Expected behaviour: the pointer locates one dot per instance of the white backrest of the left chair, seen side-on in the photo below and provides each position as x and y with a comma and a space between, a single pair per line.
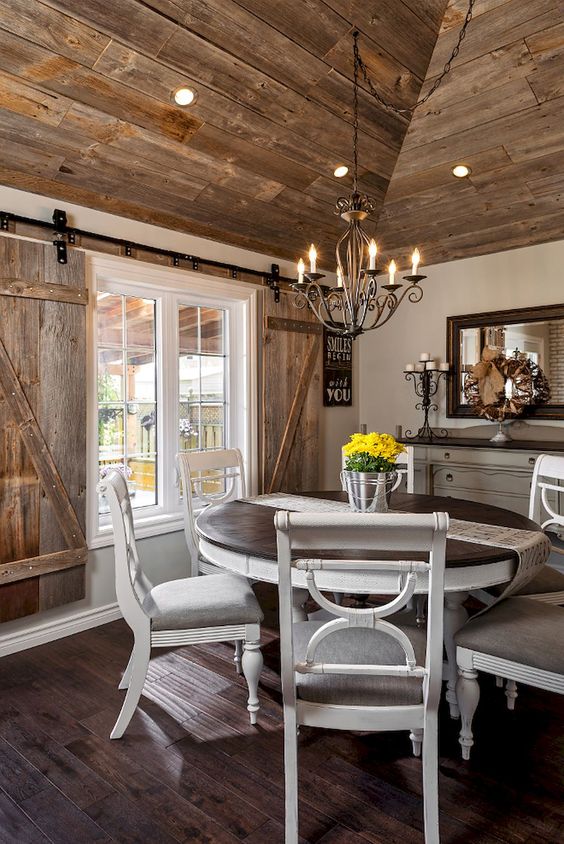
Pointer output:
132, 584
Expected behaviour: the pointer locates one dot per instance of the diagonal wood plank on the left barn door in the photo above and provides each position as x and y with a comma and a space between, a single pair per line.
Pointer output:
43, 462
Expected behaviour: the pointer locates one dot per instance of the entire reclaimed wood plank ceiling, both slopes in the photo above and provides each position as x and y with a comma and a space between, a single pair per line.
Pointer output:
86, 116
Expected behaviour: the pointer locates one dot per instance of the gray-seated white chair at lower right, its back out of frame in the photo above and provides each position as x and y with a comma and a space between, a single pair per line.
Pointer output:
520, 639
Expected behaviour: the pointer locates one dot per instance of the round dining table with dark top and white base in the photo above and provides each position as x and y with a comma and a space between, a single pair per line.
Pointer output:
240, 536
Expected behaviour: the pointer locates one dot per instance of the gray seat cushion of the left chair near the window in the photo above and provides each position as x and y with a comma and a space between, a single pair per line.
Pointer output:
212, 601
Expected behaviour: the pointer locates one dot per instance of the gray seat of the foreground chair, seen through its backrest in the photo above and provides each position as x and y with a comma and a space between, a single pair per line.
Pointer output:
364, 647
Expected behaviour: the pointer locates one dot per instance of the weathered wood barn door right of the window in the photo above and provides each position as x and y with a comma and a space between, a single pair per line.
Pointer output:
291, 396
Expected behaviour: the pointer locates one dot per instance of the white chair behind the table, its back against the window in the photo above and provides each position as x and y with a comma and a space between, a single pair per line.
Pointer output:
207, 468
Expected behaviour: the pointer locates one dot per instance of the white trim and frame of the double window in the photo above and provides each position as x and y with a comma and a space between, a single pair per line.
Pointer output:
186, 287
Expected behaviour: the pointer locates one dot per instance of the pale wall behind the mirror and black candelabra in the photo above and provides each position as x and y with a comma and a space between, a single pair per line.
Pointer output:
518, 278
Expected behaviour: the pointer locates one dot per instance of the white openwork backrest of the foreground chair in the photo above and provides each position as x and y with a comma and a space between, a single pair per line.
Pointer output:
317, 532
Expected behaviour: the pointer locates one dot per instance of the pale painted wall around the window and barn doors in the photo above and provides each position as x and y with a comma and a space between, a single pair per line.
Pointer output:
165, 556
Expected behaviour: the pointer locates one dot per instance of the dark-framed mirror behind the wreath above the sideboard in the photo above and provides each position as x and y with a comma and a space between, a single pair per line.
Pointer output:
538, 332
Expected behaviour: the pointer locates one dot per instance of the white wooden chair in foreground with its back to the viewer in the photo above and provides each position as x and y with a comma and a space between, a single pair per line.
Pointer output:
358, 671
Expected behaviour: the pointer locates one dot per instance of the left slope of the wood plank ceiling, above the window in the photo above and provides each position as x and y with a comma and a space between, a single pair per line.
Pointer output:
87, 117
